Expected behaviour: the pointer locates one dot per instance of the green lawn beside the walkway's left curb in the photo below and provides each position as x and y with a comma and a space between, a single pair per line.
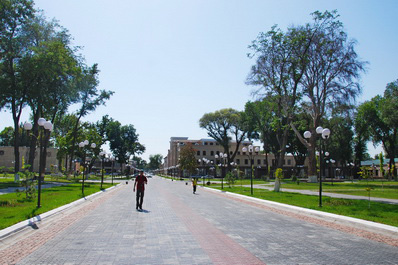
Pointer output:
14, 208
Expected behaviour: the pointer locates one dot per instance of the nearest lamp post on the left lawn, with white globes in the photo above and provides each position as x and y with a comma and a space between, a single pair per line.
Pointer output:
47, 127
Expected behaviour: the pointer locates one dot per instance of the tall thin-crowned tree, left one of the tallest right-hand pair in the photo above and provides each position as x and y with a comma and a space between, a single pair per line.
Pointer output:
280, 64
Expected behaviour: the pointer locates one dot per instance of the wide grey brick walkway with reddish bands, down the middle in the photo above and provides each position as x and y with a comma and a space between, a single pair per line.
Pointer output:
178, 227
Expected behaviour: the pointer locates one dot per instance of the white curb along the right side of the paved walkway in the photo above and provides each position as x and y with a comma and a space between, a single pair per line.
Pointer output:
341, 219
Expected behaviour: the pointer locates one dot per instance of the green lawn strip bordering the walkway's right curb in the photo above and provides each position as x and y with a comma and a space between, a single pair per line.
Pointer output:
378, 212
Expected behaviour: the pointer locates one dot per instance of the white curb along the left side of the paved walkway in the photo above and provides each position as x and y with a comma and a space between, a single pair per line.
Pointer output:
32, 221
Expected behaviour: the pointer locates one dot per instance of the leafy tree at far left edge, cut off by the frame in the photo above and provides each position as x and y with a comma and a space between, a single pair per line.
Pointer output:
13, 47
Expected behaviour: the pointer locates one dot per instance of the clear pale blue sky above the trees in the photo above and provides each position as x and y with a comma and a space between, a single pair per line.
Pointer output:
171, 61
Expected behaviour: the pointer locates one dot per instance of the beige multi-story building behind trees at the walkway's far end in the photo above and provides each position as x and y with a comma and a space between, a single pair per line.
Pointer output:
207, 149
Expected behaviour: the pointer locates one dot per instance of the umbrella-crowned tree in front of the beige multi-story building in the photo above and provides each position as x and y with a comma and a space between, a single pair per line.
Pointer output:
224, 125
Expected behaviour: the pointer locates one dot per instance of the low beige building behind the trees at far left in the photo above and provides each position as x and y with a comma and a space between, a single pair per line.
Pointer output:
7, 158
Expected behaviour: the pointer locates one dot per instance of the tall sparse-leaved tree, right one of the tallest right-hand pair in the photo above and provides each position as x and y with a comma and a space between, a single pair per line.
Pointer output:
331, 73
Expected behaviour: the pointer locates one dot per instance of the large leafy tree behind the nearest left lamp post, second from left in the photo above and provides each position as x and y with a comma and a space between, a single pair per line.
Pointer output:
50, 69
